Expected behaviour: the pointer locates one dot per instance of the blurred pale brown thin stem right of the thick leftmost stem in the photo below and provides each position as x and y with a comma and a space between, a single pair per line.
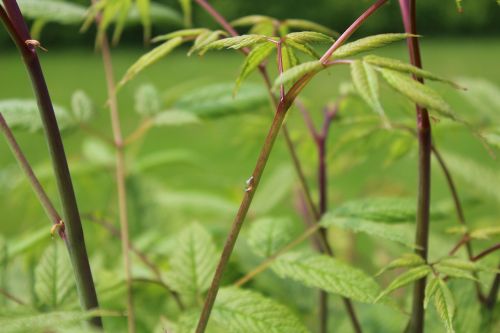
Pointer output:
120, 179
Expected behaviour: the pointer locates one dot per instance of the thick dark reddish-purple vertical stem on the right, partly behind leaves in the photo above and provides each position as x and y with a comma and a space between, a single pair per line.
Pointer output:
416, 324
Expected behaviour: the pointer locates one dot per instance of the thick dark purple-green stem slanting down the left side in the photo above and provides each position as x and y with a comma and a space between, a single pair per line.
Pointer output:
75, 239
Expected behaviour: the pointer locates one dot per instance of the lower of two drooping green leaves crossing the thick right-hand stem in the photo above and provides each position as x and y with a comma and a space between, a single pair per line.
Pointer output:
417, 92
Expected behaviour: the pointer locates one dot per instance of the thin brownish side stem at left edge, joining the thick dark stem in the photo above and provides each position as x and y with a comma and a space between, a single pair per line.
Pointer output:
33, 180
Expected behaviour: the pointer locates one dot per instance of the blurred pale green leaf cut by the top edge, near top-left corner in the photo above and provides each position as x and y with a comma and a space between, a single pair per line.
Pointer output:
62, 12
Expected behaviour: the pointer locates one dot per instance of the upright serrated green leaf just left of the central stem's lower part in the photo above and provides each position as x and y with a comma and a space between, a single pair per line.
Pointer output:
193, 262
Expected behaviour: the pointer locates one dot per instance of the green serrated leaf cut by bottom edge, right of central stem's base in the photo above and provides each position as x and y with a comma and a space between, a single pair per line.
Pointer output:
239, 310
